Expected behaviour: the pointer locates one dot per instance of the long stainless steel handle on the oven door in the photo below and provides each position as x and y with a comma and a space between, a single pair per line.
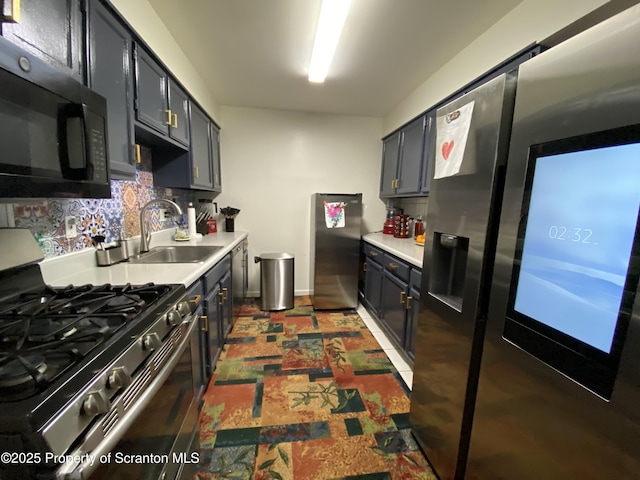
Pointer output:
71, 470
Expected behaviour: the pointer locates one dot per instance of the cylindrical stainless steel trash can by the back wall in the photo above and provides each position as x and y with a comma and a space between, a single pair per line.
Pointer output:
276, 280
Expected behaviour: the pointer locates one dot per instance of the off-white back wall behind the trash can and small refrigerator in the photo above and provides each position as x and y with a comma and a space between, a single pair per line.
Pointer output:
274, 160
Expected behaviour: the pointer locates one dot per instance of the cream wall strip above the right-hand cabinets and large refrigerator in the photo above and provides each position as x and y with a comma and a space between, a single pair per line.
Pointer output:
531, 21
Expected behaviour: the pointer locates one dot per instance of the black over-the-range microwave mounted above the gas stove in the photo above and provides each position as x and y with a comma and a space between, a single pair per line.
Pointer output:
53, 131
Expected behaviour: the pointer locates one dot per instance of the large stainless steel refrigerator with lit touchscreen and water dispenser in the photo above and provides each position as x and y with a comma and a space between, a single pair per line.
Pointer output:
526, 362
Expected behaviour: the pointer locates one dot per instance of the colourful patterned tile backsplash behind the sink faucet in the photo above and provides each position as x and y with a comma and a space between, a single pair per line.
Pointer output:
110, 217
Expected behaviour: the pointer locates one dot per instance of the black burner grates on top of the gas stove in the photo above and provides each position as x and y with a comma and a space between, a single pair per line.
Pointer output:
44, 334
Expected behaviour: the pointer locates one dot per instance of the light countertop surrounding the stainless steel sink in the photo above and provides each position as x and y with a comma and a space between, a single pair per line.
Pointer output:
81, 268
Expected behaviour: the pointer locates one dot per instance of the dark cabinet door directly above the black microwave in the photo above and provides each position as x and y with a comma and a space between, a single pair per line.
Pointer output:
52, 31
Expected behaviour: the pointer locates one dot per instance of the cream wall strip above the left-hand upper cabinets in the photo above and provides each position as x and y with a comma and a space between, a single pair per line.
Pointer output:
148, 26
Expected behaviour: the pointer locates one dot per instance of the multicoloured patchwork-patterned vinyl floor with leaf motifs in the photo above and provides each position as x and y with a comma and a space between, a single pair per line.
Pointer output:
300, 394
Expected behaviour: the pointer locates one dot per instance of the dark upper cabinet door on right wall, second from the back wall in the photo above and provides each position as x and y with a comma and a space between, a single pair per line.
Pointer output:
410, 163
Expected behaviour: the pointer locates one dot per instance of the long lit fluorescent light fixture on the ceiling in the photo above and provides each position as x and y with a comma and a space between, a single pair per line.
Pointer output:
333, 13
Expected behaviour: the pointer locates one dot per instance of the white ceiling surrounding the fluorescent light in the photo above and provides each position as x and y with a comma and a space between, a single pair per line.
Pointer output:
255, 53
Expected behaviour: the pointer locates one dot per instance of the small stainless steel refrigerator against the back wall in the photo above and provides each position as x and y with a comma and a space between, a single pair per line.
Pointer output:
335, 250
